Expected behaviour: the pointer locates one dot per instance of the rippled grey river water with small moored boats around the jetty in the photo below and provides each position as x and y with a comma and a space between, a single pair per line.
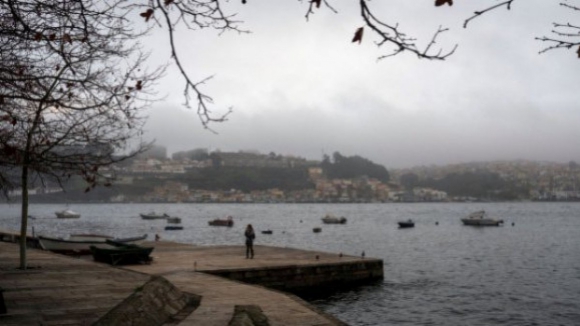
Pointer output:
438, 273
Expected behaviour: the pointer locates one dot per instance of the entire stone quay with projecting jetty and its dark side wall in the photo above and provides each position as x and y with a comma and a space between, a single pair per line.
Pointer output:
183, 285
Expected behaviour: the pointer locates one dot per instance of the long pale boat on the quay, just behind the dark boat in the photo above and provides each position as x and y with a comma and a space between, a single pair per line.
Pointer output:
80, 243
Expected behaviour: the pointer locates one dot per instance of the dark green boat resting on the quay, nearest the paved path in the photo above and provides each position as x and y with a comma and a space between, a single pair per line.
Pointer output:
119, 253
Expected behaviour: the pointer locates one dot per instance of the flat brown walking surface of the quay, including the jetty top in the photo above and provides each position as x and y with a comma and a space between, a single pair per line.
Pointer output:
69, 291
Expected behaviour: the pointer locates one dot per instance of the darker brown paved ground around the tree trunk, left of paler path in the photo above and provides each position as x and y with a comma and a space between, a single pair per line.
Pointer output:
60, 290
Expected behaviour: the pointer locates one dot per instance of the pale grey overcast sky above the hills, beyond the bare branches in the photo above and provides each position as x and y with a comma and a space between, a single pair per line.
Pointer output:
302, 88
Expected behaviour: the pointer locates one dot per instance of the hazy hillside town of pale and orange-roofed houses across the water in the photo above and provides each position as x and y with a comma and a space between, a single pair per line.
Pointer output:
166, 177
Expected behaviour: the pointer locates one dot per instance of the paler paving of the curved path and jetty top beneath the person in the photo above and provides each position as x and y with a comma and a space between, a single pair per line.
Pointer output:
177, 262
